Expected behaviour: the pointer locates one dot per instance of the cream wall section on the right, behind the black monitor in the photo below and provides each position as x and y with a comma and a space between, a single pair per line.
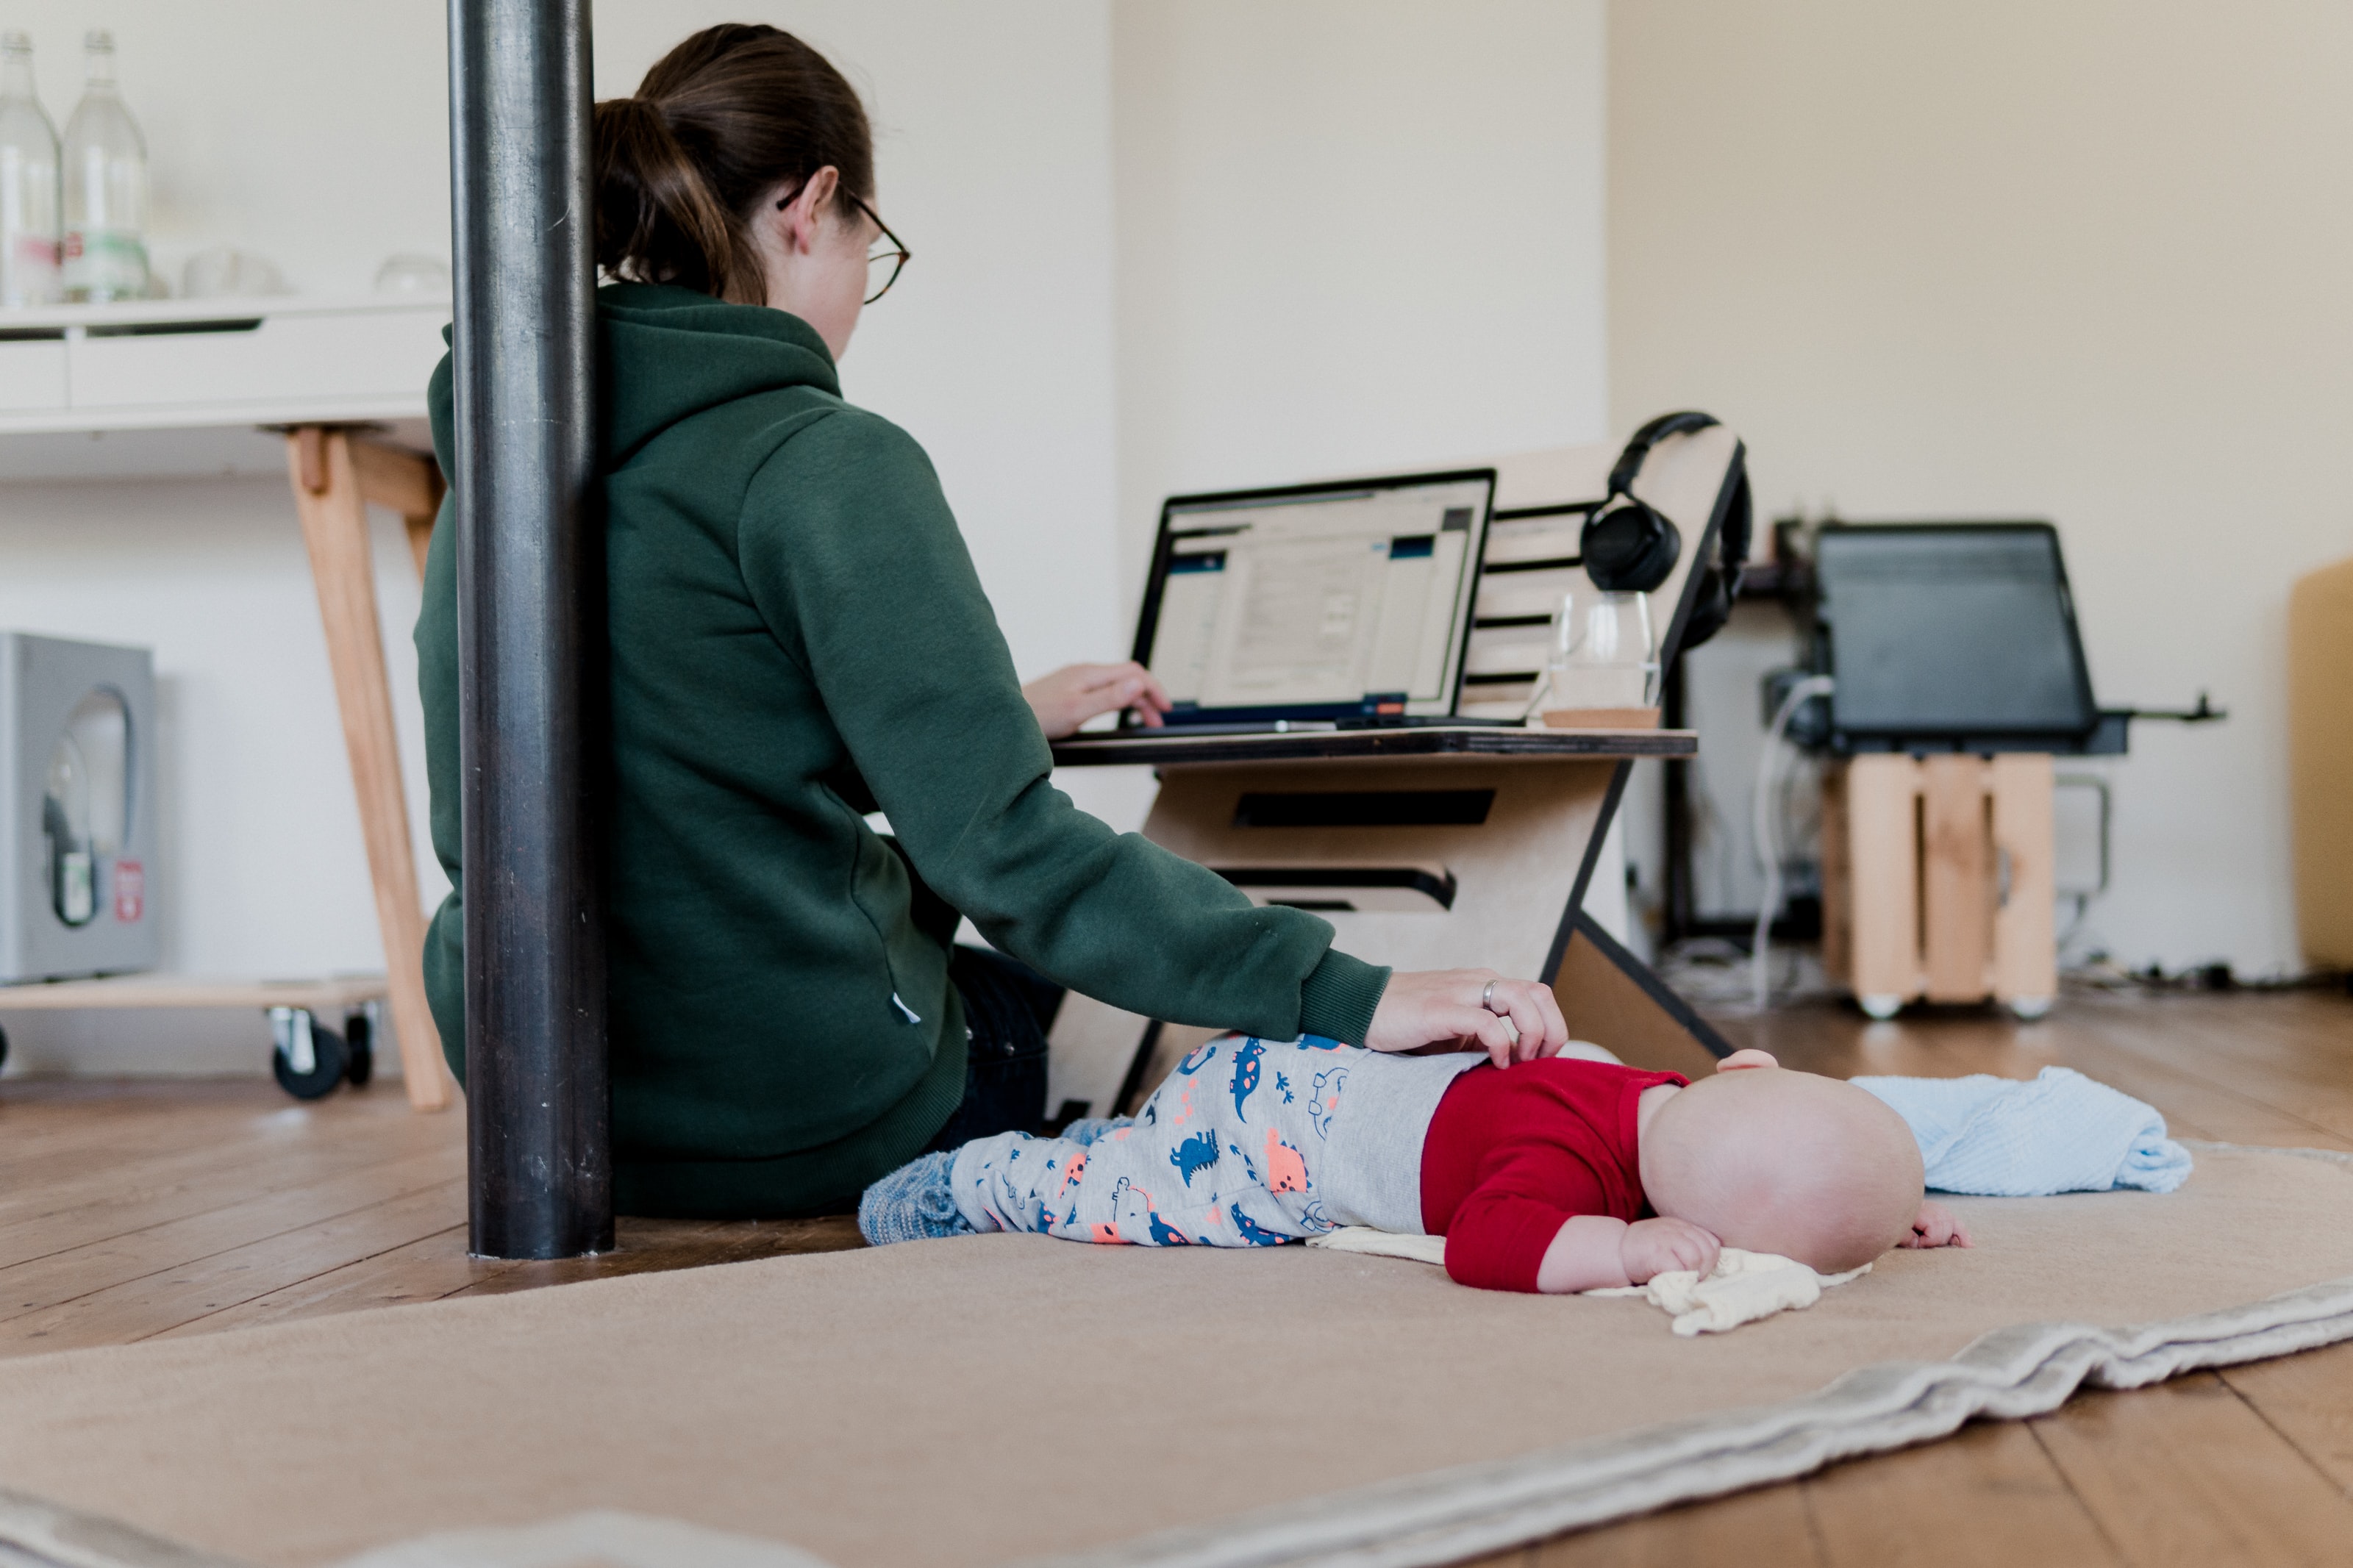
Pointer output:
2077, 262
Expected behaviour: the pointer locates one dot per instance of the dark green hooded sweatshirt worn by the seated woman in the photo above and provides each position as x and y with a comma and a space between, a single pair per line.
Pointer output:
799, 638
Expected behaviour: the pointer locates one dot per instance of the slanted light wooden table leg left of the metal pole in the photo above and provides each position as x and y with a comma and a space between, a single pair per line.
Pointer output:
335, 528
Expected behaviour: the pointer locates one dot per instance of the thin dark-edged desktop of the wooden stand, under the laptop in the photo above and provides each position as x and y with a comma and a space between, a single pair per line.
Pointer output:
1161, 749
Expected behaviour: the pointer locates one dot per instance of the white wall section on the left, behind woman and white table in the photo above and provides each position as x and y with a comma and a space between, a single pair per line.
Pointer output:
316, 135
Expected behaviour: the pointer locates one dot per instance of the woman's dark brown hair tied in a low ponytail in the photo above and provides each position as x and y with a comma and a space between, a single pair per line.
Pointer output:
714, 128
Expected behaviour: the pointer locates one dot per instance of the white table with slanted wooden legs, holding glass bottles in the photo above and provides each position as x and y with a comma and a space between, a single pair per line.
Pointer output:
338, 391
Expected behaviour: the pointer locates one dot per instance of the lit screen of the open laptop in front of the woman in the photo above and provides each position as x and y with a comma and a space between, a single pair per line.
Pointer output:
1317, 603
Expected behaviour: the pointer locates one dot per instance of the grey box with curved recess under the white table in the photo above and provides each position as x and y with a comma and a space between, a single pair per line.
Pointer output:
79, 810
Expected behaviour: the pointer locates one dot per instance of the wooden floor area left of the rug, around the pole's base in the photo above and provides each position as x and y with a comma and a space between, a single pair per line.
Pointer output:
152, 1209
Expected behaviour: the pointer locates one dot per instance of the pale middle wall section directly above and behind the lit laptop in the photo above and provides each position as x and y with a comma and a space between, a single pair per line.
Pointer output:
1352, 234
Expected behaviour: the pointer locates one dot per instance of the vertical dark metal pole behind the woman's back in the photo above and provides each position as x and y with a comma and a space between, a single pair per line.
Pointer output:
528, 622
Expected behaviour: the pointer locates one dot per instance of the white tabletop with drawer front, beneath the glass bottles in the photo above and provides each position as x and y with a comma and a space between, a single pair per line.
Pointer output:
182, 387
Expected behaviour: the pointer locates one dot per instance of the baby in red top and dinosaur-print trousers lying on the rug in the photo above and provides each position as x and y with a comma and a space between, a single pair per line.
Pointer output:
1542, 1177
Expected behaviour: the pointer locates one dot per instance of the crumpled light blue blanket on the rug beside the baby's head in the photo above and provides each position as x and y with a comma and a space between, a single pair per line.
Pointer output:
2058, 1134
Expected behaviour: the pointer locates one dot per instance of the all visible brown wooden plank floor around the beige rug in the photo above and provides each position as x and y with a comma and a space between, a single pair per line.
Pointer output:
159, 1209
